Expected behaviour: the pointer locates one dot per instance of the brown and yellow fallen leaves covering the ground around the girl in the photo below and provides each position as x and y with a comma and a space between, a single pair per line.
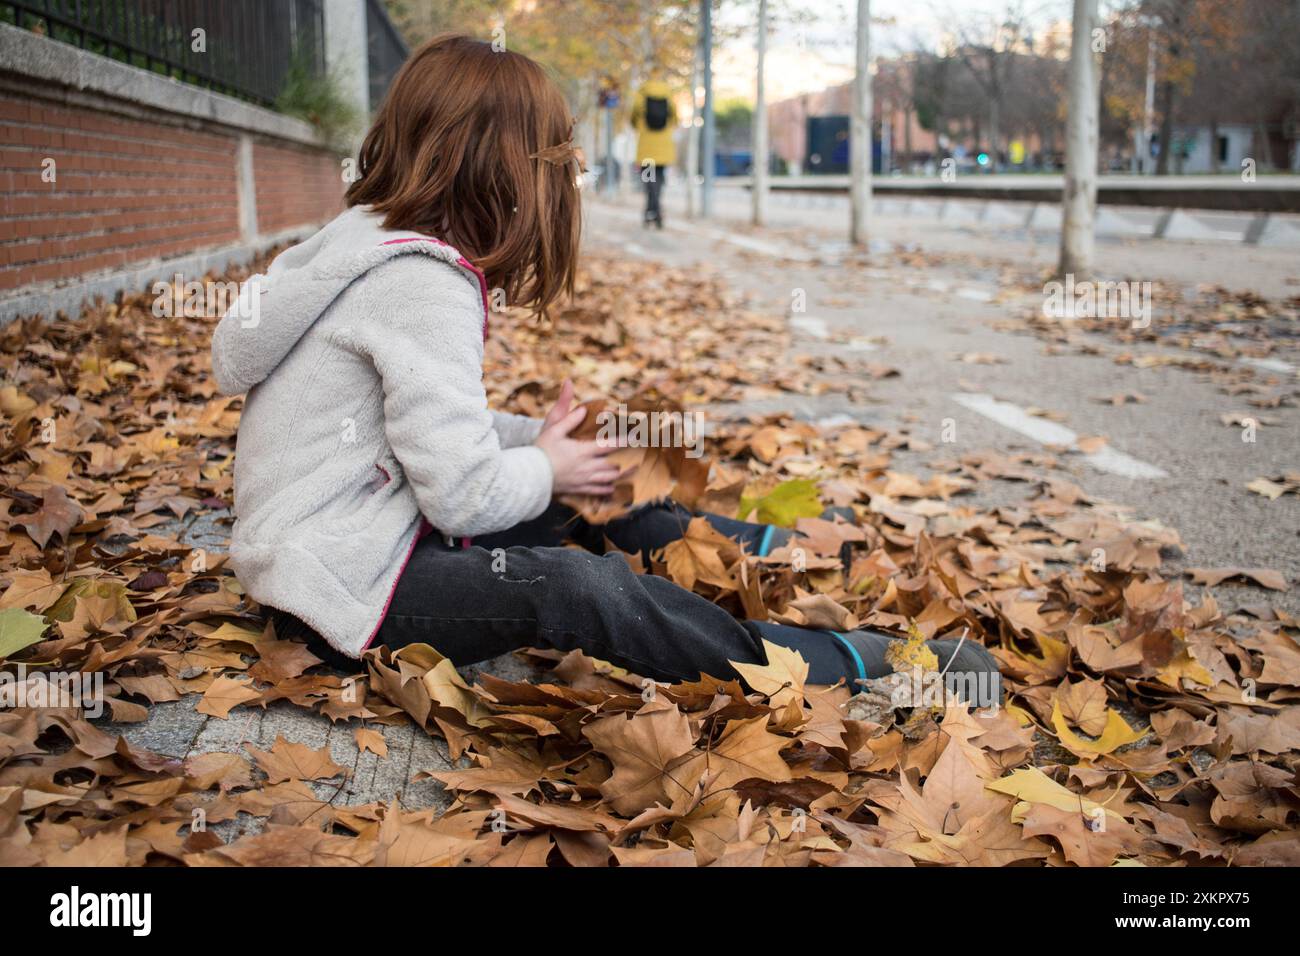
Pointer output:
1136, 729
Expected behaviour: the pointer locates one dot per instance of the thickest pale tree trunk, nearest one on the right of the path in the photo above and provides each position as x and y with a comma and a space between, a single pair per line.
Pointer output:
1082, 133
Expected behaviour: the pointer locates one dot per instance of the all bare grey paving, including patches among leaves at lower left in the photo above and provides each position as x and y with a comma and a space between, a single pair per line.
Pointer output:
941, 322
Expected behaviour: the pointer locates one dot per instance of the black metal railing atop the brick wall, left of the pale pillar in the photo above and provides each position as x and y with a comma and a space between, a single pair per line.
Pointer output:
245, 47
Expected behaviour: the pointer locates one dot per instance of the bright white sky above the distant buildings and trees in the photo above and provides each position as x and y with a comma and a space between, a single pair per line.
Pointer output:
820, 53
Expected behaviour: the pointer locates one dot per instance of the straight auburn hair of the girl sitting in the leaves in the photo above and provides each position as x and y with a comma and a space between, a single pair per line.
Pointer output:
454, 154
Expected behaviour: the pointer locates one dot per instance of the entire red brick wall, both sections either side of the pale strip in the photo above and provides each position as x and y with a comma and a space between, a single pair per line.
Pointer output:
135, 191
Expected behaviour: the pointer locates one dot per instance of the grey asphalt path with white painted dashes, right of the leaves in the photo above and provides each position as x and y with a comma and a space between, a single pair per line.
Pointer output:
942, 315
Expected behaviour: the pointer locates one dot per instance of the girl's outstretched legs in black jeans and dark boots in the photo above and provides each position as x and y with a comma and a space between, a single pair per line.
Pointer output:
519, 589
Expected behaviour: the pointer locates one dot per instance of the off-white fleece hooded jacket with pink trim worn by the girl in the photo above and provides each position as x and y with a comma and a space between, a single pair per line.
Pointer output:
366, 417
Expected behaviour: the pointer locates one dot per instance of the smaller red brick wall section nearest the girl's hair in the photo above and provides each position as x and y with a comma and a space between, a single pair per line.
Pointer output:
296, 187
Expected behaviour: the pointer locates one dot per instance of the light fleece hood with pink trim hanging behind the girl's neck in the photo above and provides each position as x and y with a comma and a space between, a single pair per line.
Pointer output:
275, 312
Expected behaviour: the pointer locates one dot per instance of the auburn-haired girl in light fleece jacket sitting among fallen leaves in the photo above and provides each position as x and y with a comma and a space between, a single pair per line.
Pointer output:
374, 483
